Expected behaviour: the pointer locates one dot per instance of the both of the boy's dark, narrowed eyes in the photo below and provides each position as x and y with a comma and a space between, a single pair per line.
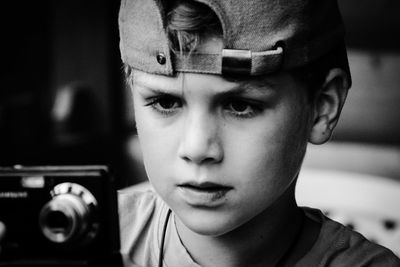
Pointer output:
255, 107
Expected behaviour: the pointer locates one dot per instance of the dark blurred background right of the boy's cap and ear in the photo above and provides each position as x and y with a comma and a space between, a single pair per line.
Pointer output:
371, 114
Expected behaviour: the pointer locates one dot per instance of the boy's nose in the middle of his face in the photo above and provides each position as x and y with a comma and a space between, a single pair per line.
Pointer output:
200, 142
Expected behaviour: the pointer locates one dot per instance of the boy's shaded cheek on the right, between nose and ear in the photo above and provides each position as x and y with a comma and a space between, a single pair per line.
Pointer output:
273, 152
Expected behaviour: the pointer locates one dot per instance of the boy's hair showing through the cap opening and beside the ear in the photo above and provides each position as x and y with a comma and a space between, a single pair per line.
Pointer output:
190, 22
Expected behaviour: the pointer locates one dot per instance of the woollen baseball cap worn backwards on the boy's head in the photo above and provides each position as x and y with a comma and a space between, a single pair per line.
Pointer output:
259, 37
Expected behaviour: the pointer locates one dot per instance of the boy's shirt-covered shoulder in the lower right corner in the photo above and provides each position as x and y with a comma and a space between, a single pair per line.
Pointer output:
338, 245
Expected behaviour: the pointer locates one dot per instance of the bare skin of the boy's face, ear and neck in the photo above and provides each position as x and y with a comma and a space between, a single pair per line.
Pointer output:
246, 138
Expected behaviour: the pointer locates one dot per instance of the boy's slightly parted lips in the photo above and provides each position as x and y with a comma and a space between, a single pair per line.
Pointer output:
205, 194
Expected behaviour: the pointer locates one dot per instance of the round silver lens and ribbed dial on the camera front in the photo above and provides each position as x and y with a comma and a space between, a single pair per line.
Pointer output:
69, 215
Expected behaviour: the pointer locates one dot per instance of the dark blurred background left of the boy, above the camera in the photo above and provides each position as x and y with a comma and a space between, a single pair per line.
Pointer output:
45, 46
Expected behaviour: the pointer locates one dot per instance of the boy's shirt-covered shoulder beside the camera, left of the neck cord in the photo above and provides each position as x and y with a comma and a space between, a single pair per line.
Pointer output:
140, 212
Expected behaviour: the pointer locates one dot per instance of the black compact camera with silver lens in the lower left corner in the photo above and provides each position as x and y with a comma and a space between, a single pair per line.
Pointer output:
58, 216
